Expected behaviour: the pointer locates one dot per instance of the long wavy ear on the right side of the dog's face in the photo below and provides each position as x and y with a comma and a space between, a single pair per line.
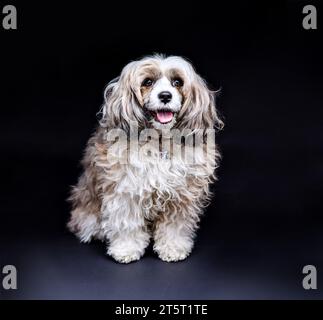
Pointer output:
199, 109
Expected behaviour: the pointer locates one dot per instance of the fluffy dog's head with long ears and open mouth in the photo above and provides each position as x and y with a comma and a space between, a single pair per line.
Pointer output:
159, 92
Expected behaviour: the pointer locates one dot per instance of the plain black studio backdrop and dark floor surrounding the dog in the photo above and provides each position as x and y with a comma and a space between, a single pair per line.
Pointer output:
265, 222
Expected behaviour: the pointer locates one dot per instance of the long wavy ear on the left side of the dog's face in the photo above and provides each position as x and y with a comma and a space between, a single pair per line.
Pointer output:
121, 106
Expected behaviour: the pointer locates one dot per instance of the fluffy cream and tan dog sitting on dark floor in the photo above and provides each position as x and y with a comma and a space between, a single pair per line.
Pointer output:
157, 195
